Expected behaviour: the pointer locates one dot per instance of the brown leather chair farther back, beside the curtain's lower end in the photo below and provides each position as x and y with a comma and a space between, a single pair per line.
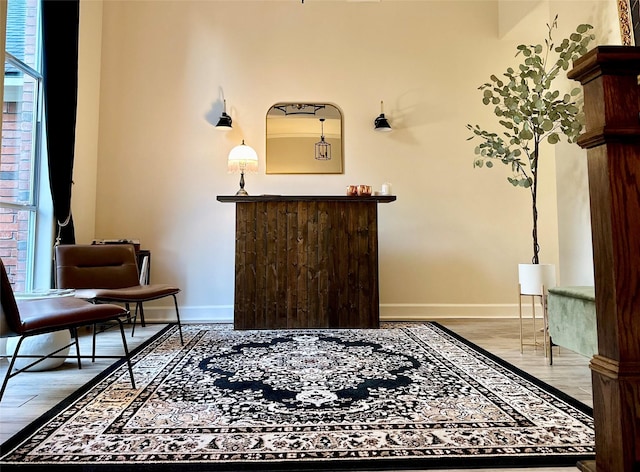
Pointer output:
108, 273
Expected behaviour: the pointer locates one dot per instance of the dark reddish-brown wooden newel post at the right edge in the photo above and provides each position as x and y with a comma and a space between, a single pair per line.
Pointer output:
609, 75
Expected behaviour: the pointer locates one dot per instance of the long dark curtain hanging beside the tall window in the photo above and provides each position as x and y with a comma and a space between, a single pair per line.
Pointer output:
60, 35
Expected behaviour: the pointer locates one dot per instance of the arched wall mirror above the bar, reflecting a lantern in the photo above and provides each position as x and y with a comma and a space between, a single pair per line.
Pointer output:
304, 138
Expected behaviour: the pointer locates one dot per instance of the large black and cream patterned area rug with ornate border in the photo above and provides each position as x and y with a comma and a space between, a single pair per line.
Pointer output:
405, 396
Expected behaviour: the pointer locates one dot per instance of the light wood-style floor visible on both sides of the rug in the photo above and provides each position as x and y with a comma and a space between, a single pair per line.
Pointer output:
31, 394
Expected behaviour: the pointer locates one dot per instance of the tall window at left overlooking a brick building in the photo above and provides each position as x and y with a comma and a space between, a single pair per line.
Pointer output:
22, 206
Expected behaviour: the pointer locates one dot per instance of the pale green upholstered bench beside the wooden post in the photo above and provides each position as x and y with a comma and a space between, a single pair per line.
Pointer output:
571, 315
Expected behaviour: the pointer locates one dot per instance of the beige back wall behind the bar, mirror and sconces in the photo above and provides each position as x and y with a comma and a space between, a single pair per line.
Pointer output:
451, 242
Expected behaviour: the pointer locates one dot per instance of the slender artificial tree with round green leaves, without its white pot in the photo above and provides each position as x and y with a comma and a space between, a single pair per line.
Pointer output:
531, 109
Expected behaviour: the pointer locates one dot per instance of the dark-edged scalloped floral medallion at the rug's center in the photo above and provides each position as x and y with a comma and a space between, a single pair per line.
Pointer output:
311, 371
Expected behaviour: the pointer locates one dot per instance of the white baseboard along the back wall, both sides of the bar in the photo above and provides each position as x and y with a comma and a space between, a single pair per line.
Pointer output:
388, 312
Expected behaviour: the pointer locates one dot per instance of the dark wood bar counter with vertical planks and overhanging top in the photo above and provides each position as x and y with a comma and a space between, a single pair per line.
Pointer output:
306, 261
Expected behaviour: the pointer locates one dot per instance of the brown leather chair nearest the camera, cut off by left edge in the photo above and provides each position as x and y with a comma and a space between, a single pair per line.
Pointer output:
47, 315
